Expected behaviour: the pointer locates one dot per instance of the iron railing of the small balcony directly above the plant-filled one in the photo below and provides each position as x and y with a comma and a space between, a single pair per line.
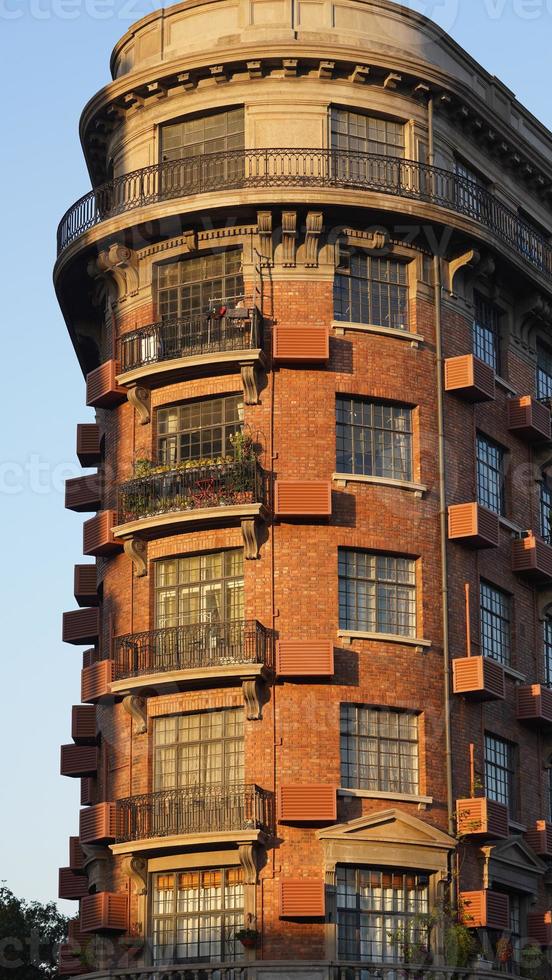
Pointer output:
238, 329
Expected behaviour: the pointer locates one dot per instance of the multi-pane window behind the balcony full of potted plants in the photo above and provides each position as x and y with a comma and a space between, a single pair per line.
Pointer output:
198, 430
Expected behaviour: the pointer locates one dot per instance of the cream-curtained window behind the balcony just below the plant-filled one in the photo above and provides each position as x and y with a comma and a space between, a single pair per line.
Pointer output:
205, 588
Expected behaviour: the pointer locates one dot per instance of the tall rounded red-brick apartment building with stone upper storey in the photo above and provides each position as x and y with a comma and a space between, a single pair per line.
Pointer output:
311, 292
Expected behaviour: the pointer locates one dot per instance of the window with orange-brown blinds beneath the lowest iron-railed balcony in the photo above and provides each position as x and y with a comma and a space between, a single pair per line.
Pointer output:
196, 914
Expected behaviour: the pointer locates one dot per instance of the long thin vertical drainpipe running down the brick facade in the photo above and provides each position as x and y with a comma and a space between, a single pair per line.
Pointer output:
443, 537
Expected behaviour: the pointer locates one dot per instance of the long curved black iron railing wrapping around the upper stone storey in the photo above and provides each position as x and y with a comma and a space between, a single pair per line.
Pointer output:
306, 168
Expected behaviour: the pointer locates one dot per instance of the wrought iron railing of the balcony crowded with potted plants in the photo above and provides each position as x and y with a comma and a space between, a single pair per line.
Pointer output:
193, 488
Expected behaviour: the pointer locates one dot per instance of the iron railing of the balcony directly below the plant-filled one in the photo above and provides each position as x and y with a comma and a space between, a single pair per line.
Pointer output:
188, 647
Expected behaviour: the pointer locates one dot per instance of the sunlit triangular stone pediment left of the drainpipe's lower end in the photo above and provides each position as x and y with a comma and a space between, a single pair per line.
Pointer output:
389, 826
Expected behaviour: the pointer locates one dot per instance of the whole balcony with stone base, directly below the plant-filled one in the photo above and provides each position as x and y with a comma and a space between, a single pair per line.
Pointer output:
206, 652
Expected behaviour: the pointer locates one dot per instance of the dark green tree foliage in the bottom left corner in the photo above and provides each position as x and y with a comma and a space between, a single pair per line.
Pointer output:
29, 937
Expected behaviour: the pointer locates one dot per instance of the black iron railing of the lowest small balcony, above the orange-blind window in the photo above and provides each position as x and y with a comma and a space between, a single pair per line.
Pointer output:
206, 809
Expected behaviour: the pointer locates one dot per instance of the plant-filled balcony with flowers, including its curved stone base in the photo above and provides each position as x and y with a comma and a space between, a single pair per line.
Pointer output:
166, 500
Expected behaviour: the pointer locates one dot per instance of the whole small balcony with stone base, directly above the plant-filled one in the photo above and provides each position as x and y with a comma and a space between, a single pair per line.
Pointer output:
225, 336
